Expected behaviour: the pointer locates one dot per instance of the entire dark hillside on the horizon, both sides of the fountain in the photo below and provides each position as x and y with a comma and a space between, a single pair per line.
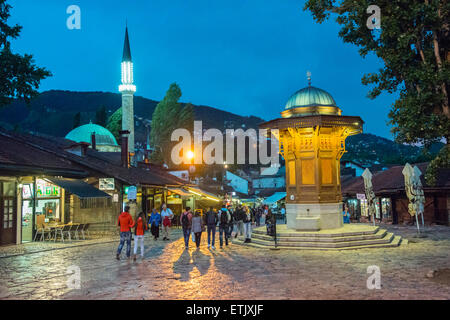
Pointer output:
52, 112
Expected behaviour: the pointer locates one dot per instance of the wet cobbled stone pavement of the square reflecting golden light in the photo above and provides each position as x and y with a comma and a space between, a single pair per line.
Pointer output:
237, 272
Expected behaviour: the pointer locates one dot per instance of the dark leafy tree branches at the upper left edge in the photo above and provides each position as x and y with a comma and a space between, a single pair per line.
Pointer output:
19, 76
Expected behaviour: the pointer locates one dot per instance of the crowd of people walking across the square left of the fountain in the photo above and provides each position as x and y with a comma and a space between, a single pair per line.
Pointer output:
227, 221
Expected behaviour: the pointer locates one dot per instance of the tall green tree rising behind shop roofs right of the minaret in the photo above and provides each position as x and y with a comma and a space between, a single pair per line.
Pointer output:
169, 115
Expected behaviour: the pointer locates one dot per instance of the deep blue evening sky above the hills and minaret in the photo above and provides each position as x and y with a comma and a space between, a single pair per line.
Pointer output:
244, 56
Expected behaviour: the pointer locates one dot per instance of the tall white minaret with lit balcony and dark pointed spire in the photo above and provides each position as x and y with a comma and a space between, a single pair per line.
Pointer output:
127, 88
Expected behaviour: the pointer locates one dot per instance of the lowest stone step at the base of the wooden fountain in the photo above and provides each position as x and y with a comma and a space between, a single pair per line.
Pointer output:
392, 241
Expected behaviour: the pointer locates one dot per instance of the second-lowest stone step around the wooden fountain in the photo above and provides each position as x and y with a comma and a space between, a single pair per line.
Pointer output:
353, 237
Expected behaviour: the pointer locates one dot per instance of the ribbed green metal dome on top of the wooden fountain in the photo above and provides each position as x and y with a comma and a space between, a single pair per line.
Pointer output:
310, 97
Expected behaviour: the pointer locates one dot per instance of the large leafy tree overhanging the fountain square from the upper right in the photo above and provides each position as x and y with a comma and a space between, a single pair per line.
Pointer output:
413, 43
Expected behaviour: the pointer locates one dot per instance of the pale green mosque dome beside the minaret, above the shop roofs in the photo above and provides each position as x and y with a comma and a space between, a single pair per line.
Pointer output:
83, 134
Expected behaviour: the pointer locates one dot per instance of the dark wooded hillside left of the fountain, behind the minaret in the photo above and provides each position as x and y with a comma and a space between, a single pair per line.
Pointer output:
52, 112
